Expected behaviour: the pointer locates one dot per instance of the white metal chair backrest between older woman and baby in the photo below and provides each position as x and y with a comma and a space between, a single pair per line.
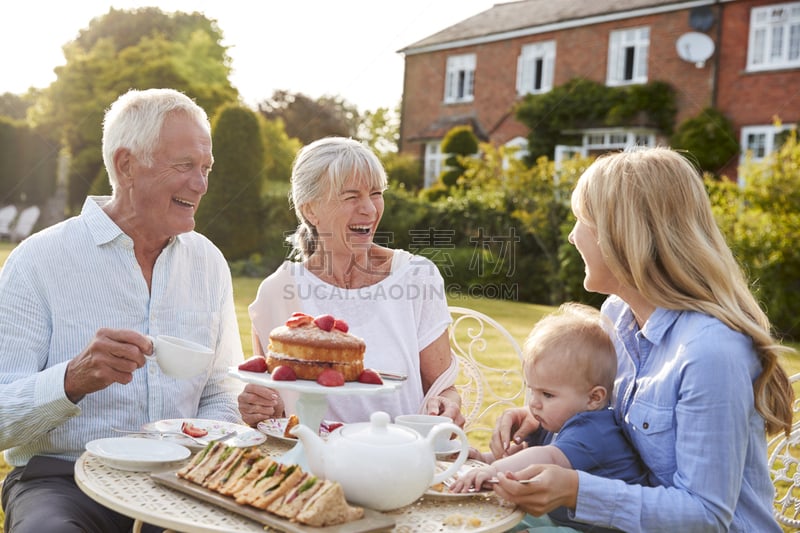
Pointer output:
490, 377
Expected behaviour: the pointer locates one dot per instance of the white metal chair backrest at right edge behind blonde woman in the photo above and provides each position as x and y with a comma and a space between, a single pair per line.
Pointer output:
784, 465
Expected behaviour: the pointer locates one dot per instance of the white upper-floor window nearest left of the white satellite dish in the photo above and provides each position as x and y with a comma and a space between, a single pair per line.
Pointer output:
627, 56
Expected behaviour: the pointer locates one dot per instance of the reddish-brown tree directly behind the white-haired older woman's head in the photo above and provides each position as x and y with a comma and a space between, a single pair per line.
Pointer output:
307, 119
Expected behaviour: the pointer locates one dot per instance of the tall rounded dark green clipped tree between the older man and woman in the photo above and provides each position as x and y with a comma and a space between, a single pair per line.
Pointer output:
230, 213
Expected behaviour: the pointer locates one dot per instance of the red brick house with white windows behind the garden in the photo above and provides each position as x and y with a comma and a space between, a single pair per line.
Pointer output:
741, 57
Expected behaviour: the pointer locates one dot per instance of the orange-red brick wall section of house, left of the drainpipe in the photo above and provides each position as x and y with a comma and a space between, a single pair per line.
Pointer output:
580, 52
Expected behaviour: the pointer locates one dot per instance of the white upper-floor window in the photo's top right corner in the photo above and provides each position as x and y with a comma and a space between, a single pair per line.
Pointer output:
774, 41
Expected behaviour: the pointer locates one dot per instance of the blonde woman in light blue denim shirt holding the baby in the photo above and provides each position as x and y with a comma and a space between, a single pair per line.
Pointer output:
698, 386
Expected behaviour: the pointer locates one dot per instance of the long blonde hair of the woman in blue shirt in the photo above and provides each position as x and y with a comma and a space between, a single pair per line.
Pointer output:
657, 234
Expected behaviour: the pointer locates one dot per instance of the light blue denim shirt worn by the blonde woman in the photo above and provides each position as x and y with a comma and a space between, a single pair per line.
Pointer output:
685, 396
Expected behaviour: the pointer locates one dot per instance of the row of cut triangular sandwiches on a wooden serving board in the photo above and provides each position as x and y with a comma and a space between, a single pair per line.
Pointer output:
251, 483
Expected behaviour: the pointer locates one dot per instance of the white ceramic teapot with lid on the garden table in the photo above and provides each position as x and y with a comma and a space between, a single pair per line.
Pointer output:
379, 465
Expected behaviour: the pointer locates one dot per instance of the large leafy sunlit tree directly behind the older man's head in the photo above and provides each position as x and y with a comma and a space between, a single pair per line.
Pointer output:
121, 50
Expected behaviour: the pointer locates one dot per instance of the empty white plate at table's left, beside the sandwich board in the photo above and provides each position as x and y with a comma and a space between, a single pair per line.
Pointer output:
138, 455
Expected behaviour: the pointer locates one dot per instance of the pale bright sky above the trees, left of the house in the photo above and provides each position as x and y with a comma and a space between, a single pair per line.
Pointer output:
345, 48
